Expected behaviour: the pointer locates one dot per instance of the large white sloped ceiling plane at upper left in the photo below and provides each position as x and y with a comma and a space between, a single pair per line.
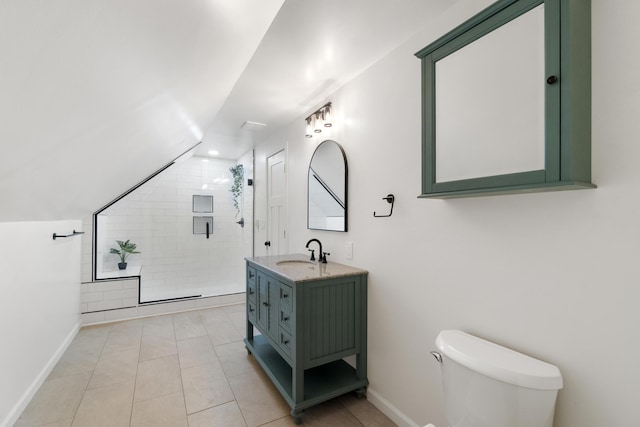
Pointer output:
96, 95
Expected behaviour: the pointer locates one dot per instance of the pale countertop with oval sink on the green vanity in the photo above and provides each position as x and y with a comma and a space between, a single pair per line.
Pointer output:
300, 269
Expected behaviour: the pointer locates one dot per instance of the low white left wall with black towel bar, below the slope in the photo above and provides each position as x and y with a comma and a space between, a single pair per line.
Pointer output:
39, 308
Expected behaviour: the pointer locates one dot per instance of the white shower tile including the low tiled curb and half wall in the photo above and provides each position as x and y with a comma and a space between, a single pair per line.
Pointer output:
158, 218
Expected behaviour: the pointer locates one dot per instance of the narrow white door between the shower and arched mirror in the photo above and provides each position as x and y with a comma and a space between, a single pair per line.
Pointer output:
277, 239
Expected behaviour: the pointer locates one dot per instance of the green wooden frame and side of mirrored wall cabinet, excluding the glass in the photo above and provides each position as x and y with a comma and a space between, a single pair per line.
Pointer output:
567, 100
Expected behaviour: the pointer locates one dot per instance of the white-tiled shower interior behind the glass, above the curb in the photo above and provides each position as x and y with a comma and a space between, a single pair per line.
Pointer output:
176, 258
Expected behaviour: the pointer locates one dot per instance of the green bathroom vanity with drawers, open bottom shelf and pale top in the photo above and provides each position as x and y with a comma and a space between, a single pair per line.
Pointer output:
309, 317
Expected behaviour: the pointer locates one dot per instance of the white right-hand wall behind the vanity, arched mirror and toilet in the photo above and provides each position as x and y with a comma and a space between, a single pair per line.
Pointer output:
554, 275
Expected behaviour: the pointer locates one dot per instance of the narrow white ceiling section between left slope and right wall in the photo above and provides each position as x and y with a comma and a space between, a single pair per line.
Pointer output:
312, 49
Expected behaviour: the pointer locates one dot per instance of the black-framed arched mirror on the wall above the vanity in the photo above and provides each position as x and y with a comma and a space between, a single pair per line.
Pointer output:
327, 188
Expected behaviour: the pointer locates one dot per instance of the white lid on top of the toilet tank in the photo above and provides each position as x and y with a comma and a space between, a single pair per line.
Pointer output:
498, 362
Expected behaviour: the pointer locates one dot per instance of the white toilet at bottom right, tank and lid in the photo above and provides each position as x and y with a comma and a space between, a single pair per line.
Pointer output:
487, 385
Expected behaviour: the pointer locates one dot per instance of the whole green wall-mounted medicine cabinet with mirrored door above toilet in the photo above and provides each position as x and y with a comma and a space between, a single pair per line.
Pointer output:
507, 101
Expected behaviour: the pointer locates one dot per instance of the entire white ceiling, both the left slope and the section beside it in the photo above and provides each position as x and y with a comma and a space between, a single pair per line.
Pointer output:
97, 95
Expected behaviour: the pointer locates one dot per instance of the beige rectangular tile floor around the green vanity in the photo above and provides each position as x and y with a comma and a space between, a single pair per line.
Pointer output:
187, 369
